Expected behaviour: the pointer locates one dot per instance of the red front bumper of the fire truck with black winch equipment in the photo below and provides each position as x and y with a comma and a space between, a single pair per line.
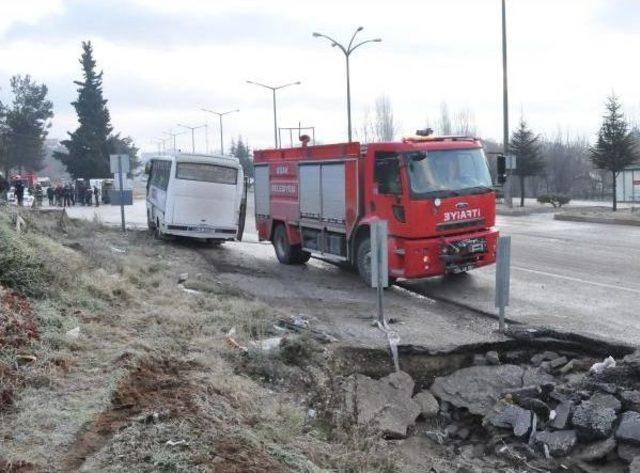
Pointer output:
412, 259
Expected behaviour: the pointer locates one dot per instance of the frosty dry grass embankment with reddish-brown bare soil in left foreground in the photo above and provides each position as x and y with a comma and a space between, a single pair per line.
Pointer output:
145, 339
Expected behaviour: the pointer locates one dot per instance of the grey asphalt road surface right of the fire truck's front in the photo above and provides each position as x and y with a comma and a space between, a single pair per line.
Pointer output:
580, 277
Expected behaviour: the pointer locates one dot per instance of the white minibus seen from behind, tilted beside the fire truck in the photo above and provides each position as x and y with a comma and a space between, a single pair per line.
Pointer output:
196, 195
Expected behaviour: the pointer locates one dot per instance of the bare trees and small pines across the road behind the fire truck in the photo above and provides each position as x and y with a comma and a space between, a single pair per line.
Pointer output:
561, 164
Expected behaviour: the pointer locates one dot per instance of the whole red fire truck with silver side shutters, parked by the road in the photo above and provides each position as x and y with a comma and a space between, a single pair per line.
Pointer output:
434, 192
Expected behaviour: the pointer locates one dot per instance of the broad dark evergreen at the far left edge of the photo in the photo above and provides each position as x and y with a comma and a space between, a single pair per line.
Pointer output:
26, 124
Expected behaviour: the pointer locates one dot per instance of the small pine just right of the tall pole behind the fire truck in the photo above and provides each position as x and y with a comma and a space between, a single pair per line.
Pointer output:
525, 147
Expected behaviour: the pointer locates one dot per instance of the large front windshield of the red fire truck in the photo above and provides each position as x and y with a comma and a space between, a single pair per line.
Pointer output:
448, 173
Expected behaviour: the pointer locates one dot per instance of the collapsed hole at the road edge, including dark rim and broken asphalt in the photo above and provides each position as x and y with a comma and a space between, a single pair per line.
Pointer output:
543, 401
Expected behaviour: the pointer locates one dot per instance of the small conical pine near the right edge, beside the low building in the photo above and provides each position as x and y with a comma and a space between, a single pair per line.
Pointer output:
616, 147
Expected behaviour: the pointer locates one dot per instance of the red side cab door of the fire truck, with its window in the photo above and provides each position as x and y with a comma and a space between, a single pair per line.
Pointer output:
387, 186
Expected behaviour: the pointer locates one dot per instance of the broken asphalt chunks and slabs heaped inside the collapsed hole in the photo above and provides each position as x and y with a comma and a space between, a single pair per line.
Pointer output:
545, 411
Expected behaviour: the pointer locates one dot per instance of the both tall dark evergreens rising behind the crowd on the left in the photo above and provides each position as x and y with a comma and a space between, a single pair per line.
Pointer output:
24, 125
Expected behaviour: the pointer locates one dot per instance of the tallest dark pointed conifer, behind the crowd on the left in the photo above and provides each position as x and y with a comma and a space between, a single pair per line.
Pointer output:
88, 146
